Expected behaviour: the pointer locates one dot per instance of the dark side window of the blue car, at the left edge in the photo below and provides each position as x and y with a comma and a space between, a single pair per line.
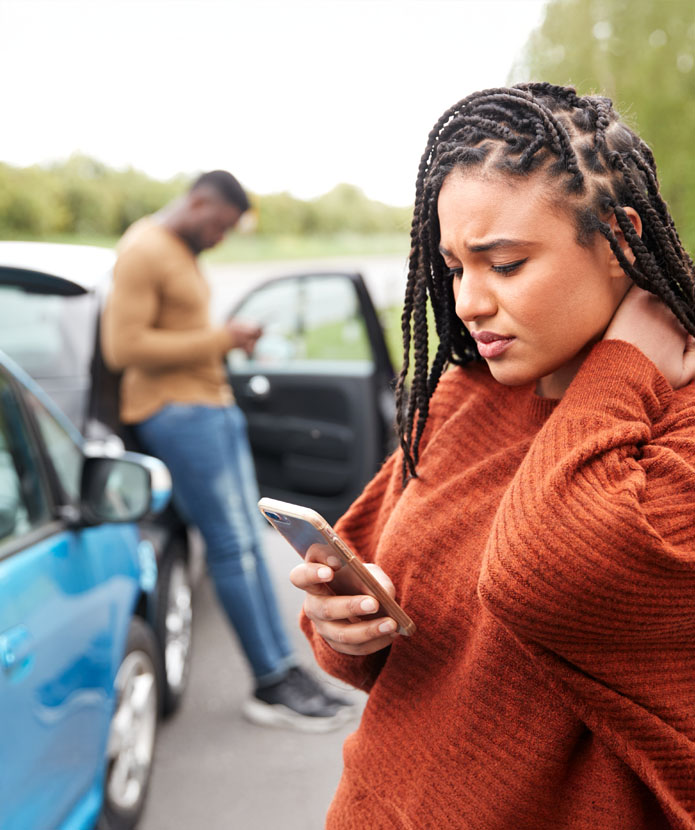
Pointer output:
22, 499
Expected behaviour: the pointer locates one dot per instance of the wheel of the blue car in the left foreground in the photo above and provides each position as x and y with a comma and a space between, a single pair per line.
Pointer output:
131, 743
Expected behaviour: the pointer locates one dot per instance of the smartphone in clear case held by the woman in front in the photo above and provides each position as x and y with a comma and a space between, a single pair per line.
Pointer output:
315, 540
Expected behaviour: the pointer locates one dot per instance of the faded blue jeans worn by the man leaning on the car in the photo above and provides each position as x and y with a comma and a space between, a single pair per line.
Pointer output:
207, 452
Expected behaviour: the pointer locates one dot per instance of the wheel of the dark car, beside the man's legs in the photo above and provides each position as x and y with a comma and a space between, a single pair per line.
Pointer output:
174, 626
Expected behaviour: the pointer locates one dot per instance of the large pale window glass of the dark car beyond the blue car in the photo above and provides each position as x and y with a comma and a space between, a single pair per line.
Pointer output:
48, 335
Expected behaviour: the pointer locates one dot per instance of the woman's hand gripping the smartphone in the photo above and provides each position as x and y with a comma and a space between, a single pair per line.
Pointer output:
337, 618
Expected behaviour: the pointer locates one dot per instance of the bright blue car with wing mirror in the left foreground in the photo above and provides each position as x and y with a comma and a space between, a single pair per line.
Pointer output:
79, 672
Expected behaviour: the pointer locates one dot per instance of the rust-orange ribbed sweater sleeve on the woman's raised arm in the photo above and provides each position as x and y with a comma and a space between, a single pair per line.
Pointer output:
591, 564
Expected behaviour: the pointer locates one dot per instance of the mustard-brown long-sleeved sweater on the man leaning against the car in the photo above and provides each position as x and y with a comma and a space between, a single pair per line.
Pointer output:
156, 326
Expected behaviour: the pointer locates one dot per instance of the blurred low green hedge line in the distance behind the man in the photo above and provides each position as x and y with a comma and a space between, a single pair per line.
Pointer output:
83, 197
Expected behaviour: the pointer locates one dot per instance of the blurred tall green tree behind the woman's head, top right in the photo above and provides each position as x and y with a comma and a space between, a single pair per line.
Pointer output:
641, 54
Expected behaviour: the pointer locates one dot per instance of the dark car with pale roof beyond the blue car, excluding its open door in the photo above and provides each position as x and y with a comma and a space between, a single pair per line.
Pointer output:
50, 301
